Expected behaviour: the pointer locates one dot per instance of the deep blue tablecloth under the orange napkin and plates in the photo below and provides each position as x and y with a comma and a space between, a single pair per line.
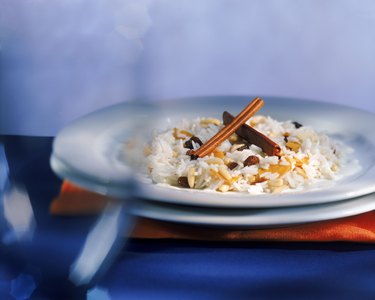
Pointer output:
167, 269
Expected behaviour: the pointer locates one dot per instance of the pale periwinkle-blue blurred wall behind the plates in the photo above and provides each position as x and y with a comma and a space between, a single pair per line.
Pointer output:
62, 59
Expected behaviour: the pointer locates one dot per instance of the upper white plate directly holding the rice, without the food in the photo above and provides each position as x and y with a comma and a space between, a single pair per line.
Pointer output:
88, 151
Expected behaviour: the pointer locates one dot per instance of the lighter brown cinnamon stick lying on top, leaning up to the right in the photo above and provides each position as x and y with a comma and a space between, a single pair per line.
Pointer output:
228, 130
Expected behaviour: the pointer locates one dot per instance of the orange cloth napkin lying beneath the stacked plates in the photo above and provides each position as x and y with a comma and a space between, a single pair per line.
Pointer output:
74, 200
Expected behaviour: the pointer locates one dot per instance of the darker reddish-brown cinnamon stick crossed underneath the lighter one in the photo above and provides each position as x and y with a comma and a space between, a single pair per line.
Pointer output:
253, 136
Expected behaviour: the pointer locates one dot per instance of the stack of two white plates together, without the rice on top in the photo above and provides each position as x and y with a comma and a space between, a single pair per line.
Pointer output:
90, 153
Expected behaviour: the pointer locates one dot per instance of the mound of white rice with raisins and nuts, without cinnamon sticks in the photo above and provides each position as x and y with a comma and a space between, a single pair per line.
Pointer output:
307, 157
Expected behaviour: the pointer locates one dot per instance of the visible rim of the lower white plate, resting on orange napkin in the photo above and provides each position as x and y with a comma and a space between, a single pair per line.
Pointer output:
258, 218
